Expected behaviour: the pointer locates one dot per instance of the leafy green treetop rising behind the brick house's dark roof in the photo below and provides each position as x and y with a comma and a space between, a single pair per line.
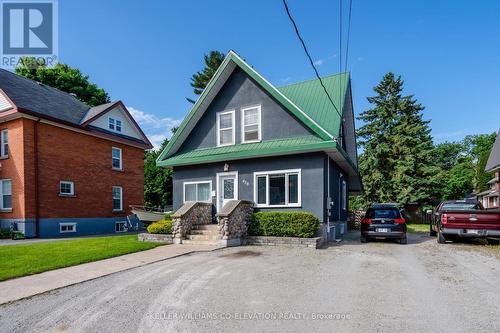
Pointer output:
65, 78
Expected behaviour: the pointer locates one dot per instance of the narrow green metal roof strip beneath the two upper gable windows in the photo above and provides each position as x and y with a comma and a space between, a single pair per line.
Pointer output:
246, 150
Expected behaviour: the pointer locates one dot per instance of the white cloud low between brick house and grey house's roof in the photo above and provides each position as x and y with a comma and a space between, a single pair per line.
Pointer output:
156, 128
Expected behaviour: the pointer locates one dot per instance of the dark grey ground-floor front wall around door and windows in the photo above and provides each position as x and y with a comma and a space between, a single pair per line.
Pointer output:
312, 172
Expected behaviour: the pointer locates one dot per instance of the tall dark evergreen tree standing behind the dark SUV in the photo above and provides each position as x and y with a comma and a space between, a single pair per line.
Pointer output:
396, 164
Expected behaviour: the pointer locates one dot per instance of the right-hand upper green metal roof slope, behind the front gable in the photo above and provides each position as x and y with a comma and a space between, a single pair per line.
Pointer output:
310, 97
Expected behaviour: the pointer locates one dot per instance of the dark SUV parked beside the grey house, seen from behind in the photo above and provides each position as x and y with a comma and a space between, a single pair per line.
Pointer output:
383, 221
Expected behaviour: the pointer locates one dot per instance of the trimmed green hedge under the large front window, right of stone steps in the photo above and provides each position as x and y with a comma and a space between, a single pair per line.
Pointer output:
284, 224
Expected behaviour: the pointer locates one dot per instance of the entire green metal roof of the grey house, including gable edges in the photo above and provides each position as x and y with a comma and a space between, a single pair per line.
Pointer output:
306, 100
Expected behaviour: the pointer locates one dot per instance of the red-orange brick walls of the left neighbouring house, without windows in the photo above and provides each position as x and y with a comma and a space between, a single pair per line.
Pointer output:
68, 155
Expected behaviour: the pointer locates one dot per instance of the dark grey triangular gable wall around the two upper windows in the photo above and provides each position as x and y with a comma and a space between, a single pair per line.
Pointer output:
241, 91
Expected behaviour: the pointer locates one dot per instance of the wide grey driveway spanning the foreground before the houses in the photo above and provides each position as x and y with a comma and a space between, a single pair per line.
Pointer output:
380, 286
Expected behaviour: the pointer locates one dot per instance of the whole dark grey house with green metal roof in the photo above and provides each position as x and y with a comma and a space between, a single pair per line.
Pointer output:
284, 148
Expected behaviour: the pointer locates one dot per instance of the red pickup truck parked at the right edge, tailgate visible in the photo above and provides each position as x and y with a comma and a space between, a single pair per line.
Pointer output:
465, 218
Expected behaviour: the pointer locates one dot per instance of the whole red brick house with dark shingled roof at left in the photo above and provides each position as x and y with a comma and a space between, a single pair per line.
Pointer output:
66, 168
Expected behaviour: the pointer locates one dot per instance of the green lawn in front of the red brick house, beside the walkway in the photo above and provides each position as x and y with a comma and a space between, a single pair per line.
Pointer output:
26, 259
